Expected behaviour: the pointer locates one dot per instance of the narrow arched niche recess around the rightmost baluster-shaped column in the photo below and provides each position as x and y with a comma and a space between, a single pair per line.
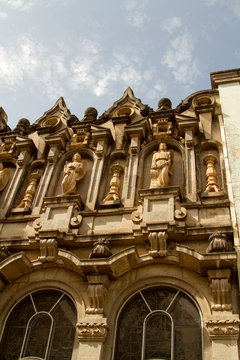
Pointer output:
209, 148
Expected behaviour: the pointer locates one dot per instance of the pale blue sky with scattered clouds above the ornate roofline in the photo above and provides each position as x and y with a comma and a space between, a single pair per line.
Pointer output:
90, 51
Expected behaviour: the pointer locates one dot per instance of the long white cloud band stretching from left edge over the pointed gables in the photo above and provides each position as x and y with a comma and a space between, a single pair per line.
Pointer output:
27, 62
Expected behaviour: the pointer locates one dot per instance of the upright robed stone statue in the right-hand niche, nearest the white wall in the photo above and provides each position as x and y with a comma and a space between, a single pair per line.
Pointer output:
161, 167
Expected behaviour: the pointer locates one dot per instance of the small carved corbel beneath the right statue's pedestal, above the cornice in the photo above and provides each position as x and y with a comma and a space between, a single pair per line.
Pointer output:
158, 243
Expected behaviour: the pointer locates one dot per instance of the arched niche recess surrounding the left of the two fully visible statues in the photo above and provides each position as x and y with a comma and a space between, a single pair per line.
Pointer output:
82, 185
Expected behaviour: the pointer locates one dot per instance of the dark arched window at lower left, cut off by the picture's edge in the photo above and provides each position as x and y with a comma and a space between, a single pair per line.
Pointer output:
41, 326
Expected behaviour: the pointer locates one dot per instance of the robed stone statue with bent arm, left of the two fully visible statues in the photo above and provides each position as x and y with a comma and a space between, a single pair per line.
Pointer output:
73, 172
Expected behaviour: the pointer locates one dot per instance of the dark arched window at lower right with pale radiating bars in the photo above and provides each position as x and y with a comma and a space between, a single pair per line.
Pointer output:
159, 324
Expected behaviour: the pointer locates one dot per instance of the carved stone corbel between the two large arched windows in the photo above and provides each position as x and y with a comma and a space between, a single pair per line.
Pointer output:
97, 290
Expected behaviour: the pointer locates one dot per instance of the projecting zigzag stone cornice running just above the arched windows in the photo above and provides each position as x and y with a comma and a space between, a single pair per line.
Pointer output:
116, 265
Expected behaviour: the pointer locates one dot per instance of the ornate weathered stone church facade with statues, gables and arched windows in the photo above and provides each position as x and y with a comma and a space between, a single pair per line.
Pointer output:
119, 233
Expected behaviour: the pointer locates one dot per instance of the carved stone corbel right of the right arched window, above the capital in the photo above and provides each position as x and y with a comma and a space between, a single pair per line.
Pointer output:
221, 288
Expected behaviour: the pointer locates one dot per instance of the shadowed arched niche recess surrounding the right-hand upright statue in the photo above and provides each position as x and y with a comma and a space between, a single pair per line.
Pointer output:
177, 169
